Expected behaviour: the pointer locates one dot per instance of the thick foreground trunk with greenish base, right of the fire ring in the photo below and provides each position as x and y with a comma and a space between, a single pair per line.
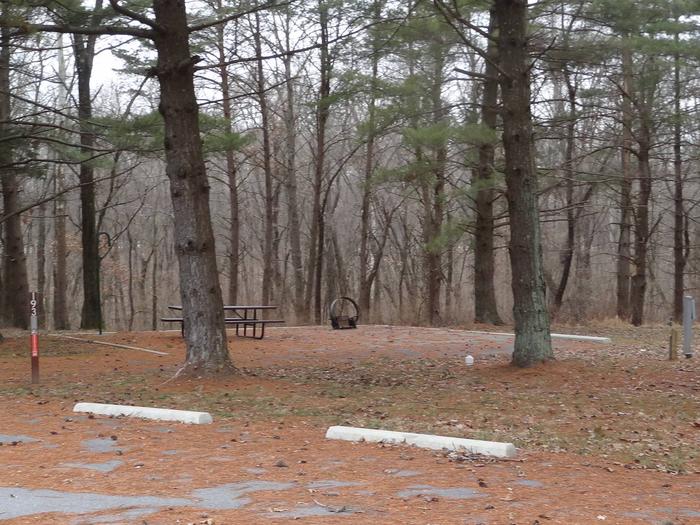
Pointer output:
532, 337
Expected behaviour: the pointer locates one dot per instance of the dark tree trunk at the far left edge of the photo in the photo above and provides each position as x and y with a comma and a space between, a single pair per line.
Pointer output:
15, 292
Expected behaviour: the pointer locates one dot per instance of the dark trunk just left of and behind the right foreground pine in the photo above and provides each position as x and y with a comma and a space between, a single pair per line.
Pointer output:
485, 306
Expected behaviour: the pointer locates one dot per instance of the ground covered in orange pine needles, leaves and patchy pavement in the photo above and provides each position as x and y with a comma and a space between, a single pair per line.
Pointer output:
607, 433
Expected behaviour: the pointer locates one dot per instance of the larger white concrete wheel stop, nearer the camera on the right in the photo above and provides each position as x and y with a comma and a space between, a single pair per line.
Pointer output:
474, 446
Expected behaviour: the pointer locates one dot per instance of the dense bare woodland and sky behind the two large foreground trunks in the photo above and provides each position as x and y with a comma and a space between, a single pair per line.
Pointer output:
353, 148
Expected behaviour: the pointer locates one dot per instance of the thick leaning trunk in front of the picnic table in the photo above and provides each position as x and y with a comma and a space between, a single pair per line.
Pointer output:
205, 333
